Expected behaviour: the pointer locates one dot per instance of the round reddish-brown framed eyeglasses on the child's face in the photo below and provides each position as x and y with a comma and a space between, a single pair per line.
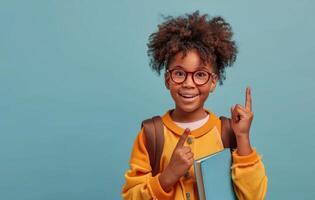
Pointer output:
200, 77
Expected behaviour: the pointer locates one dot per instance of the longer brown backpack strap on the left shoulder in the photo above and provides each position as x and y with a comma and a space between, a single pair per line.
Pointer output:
154, 136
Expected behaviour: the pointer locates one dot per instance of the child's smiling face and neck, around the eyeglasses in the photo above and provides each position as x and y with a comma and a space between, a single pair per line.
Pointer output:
189, 98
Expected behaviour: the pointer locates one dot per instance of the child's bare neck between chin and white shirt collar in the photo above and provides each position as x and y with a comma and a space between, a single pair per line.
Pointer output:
179, 115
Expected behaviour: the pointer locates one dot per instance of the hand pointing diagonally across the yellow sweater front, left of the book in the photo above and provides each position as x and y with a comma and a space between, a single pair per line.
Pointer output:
181, 160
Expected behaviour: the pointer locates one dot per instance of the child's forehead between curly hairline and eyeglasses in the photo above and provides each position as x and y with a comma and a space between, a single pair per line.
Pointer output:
190, 62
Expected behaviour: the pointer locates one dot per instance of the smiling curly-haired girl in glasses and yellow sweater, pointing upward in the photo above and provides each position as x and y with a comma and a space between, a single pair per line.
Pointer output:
194, 51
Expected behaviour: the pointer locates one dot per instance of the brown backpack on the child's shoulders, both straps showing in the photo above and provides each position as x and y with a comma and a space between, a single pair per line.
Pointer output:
153, 134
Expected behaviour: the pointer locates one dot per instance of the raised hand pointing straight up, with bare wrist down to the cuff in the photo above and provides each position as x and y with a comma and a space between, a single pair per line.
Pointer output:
242, 118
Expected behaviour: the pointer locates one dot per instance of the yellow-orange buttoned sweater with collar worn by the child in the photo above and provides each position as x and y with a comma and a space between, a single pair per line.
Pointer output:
248, 172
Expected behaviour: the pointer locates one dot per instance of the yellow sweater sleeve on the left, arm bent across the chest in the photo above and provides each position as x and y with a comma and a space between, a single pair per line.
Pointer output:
139, 183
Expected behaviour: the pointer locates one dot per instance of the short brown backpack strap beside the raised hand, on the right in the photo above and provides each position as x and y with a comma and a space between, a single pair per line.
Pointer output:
227, 134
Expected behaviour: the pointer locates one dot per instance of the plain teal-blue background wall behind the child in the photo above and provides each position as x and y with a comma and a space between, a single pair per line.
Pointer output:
75, 85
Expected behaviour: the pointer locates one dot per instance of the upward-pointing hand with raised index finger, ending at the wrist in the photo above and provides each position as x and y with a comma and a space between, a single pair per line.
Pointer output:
242, 117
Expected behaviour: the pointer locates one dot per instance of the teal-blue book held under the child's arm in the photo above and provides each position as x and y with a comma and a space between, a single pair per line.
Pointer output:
213, 176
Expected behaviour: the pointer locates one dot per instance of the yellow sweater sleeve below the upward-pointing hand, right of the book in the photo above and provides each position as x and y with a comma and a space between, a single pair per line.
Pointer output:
249, 177
